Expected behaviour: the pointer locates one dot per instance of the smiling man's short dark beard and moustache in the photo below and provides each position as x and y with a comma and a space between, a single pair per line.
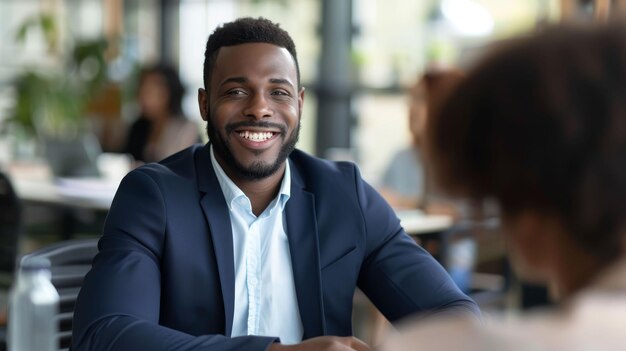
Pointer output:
258, 170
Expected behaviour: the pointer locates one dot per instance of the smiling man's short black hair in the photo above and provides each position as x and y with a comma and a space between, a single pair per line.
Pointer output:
242, 31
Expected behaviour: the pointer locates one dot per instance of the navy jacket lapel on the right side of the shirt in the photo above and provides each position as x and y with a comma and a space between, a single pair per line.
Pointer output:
304, 249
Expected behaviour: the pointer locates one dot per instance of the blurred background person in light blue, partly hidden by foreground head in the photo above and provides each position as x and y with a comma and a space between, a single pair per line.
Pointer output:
406, 183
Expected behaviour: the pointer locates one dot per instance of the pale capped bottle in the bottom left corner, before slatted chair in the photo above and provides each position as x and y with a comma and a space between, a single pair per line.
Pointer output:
33, 308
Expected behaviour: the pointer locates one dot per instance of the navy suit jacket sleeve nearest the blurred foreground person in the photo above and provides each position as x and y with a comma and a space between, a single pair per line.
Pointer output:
400, 277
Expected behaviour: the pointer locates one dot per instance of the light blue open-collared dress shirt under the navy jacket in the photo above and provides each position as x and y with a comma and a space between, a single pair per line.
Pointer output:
265, 296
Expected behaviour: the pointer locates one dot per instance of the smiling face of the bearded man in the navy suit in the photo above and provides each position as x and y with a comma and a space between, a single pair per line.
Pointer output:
253, 109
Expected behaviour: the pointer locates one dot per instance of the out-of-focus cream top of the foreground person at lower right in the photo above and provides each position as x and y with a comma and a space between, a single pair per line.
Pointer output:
591, 320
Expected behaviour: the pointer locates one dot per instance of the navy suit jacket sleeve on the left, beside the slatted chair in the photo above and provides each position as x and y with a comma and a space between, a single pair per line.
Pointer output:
118, 305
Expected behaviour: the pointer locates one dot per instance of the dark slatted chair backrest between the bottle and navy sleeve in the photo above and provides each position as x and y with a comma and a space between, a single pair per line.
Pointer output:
69, 262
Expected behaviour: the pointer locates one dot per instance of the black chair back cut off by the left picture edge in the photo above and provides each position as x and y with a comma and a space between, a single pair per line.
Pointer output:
10, 226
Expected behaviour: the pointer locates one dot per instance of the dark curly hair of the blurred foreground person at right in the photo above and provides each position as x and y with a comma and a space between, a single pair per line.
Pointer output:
541, 124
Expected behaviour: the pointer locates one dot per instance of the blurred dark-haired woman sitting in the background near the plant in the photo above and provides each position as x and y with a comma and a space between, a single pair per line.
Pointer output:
161, 129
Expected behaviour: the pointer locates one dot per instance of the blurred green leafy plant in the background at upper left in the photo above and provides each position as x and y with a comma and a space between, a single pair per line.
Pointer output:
50, 106
